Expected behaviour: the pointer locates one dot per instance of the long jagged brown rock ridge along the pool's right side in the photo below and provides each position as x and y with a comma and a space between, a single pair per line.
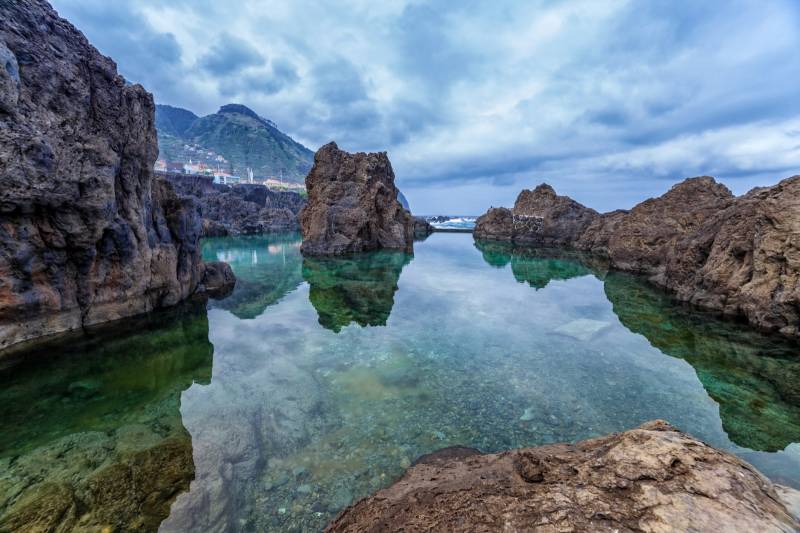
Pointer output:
736, 255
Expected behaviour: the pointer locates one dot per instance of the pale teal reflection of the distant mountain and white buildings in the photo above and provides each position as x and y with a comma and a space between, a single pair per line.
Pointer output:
267, 268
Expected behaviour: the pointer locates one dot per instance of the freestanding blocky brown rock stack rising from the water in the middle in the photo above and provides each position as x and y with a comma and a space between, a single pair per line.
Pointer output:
352, 205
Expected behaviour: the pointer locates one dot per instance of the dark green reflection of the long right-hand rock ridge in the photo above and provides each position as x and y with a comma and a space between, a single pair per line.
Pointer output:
753, 377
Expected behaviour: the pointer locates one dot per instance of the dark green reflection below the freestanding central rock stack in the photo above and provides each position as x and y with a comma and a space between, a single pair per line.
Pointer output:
358, 288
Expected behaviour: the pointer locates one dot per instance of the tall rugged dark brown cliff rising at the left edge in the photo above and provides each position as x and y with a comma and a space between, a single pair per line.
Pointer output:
87, 234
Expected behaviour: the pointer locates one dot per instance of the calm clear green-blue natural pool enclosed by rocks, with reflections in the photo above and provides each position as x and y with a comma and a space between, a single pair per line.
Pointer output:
320, 380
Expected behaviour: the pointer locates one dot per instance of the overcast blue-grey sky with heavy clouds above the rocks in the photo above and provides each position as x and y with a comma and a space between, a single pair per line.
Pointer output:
609, 101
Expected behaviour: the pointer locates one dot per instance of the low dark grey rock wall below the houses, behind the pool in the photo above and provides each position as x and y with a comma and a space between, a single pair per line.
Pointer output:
242, 209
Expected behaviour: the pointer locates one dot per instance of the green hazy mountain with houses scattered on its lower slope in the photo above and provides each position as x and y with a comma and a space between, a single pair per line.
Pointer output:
235, 138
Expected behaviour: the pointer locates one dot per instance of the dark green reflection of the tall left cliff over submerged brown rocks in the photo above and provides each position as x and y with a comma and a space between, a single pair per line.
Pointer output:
97, 441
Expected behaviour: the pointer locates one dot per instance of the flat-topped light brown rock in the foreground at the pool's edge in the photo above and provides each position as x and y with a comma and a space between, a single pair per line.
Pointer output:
653, 478
